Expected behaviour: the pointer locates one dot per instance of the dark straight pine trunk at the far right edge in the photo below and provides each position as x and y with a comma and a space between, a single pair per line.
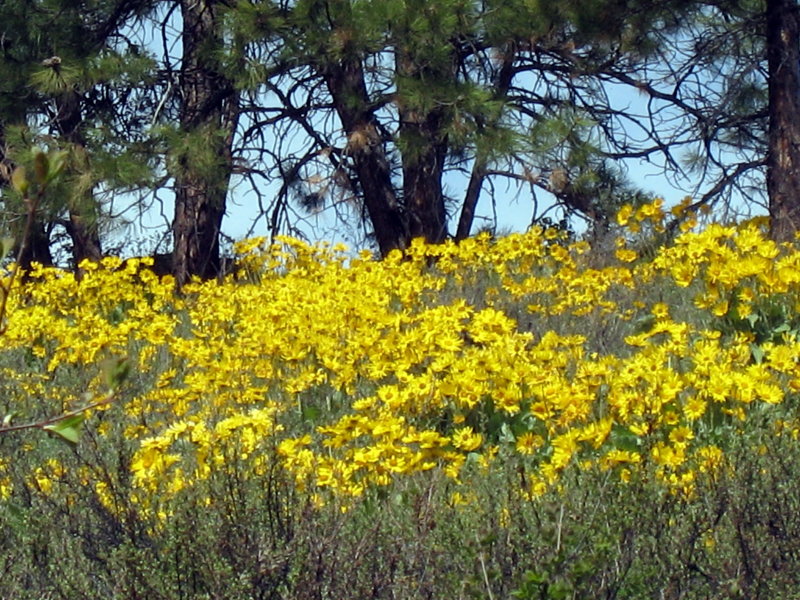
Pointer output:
783, 153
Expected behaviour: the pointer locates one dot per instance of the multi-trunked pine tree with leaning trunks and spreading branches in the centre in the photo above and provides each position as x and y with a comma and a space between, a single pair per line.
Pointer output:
497, 90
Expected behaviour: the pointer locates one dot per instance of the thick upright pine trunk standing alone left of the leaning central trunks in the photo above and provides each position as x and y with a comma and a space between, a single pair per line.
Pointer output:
210, 105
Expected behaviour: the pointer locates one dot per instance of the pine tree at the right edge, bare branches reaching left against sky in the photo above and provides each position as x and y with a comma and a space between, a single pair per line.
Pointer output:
735, 65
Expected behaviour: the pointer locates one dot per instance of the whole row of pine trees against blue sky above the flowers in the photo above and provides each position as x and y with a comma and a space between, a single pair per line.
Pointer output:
399, 118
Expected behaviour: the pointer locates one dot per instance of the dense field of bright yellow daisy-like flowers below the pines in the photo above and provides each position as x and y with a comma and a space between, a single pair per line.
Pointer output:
531, 354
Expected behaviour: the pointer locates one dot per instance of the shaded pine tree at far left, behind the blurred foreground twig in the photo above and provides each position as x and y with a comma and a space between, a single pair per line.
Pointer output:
61, 65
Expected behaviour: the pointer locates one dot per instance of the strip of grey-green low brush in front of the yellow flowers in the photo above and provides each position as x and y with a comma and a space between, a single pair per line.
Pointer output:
737, 537
